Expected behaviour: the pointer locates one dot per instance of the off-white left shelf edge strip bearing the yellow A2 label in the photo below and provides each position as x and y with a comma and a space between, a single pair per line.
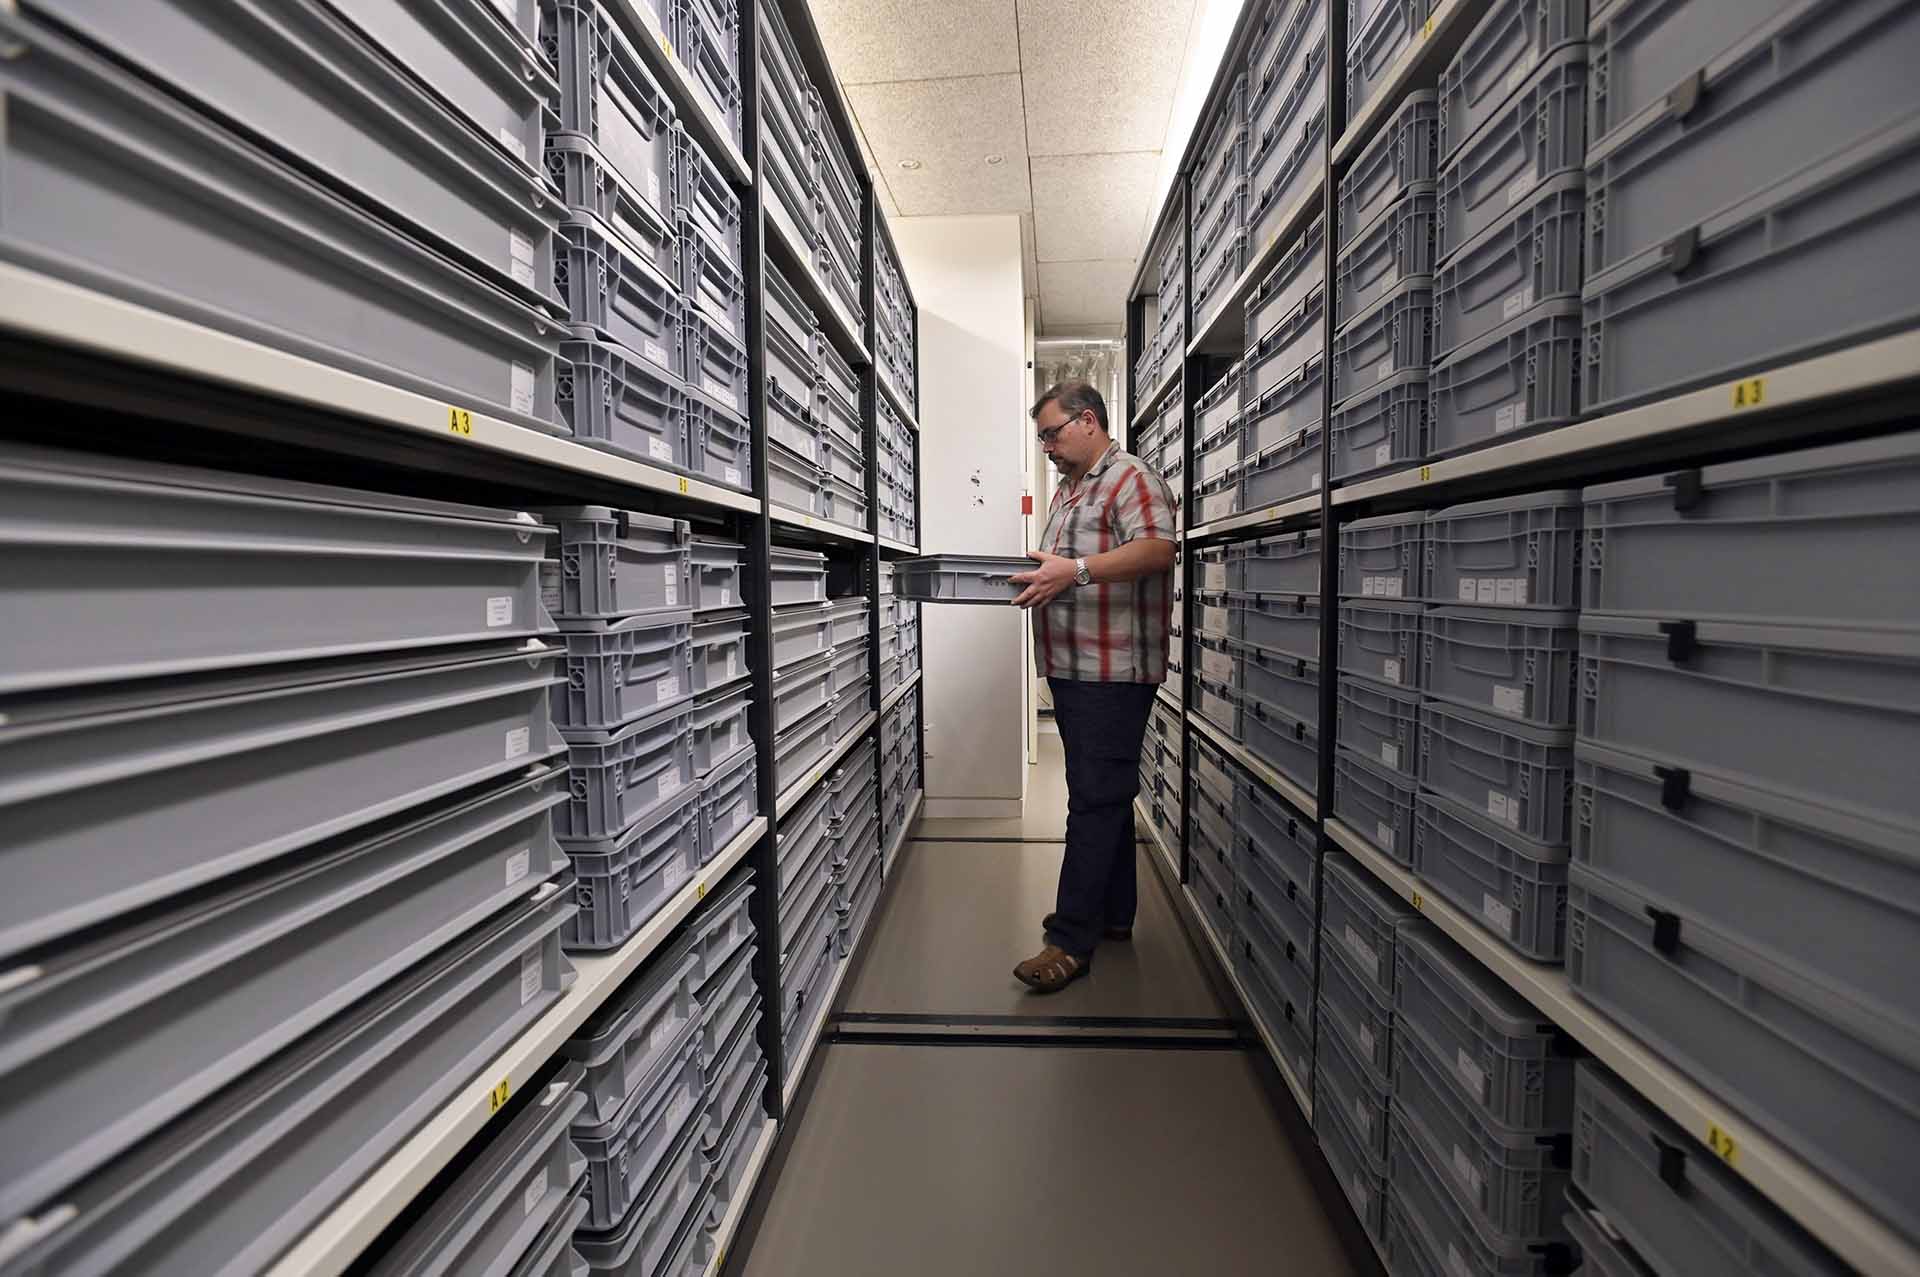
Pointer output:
377, 1201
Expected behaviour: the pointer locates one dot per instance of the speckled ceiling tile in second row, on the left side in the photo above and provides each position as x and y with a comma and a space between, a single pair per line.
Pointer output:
949, 128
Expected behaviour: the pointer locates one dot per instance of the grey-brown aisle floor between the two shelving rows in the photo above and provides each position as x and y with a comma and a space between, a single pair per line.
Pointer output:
1059, 1161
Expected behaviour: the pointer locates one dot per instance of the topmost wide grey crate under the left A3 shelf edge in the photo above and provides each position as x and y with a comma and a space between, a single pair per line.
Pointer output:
302, 571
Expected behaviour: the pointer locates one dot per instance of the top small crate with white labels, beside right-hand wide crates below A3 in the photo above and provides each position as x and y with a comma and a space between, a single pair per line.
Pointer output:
1508, 552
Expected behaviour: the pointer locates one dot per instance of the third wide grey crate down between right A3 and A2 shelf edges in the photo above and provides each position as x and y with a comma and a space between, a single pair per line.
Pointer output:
1788, 859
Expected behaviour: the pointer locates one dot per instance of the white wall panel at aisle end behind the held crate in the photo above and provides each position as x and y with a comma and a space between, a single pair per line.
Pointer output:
965, 274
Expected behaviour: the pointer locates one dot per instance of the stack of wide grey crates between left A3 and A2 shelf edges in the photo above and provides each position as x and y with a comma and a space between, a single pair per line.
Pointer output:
329, 859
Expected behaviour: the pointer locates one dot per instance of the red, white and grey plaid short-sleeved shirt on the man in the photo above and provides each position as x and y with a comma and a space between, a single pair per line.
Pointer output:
1109, 633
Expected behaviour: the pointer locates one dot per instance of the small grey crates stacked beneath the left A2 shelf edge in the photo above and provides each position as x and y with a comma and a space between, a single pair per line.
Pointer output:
673, 1080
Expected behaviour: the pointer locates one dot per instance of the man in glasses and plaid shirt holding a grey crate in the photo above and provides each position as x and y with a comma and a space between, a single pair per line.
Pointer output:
1101, 598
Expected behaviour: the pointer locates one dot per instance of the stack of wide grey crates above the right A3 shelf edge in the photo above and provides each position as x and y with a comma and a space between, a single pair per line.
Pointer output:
1802, 112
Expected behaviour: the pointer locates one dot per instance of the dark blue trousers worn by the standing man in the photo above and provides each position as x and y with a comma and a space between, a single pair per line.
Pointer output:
1101, 733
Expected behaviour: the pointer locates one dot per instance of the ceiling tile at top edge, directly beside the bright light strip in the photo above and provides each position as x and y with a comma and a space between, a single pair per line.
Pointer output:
1101, 76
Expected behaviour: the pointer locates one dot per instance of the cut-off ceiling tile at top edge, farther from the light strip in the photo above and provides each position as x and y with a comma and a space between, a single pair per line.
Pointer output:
873, 41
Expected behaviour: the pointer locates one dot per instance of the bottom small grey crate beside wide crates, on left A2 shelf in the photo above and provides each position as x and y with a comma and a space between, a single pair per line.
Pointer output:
621, 882
